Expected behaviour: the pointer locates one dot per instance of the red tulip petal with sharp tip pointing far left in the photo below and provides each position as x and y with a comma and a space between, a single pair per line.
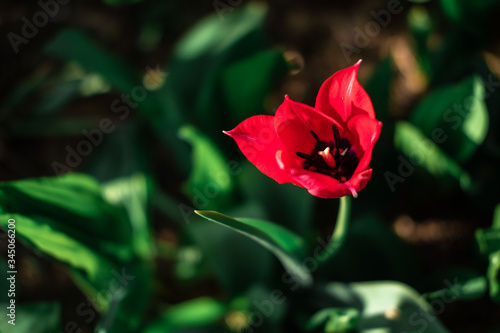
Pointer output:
259, 142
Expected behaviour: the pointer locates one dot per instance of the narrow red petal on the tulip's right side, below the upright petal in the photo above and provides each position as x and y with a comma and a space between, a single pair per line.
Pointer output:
367, 132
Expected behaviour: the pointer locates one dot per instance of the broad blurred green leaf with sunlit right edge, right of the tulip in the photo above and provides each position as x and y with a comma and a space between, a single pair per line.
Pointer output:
455, 117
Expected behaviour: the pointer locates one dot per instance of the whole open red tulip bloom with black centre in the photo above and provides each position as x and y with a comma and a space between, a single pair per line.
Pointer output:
325, 149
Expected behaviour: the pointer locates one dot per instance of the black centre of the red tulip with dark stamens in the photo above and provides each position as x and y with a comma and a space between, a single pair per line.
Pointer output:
335, 158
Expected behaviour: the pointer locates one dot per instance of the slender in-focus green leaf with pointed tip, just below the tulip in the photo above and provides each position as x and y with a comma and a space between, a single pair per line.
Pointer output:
285, 245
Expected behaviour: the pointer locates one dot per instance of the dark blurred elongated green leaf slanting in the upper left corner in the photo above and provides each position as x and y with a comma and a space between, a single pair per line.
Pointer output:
72, 44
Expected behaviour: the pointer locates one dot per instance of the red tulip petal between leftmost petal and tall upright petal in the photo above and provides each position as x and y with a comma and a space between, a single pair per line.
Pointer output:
297, 124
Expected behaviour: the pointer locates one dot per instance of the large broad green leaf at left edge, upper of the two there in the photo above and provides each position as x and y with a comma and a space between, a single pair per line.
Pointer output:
72, 205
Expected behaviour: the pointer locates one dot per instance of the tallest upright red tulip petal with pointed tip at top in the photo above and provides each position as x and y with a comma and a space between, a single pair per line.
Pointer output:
342, 97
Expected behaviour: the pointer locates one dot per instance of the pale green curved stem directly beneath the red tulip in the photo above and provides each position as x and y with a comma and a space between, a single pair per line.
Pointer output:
340, 232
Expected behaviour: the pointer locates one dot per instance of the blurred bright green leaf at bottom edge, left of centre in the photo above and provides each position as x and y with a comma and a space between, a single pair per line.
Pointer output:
194, 313
